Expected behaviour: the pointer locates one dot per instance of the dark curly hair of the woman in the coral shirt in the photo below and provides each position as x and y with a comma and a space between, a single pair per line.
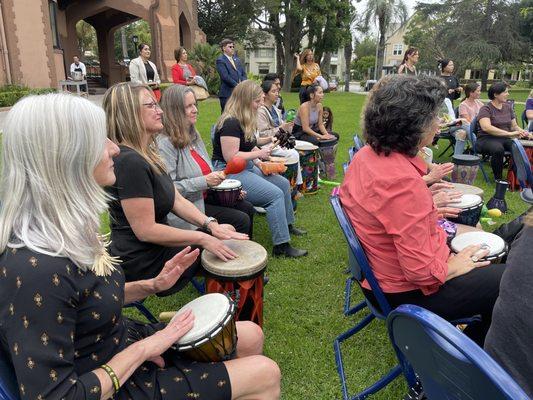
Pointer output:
399, 110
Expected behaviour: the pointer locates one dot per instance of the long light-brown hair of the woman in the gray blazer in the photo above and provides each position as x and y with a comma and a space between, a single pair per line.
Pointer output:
175, 124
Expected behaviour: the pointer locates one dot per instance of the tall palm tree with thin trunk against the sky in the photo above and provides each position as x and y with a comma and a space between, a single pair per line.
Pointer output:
383, 13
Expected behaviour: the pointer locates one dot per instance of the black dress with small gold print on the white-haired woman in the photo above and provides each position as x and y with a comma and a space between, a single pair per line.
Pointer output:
57, 324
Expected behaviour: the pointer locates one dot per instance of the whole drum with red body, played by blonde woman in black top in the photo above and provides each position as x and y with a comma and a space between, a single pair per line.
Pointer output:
243, 274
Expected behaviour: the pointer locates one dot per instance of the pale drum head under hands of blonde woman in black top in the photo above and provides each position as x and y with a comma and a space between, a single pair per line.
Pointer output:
252, 258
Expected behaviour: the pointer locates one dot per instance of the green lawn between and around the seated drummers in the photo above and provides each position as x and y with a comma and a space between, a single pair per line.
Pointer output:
303, 301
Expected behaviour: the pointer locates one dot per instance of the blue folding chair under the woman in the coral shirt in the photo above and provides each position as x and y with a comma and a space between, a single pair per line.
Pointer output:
361, 270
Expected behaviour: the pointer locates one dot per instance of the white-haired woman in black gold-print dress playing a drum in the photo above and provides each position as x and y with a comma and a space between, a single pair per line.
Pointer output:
61, 318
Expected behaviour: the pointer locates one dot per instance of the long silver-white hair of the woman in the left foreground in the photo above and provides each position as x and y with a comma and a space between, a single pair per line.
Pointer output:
50, 200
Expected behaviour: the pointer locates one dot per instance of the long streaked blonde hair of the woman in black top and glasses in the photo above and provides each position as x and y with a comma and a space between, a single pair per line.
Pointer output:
124, 123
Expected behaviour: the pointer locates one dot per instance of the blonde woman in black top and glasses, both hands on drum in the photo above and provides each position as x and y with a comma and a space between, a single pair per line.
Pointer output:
144, 193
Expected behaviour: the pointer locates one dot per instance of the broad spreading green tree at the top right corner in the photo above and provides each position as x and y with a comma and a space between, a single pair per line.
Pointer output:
491, 36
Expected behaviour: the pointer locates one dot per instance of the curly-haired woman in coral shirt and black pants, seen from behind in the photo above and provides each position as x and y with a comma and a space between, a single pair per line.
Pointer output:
394, 215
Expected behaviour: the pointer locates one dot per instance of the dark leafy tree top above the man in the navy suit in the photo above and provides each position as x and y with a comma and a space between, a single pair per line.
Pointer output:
221, 19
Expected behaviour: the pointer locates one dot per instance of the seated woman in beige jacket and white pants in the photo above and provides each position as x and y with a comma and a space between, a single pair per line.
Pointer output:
270, 123
